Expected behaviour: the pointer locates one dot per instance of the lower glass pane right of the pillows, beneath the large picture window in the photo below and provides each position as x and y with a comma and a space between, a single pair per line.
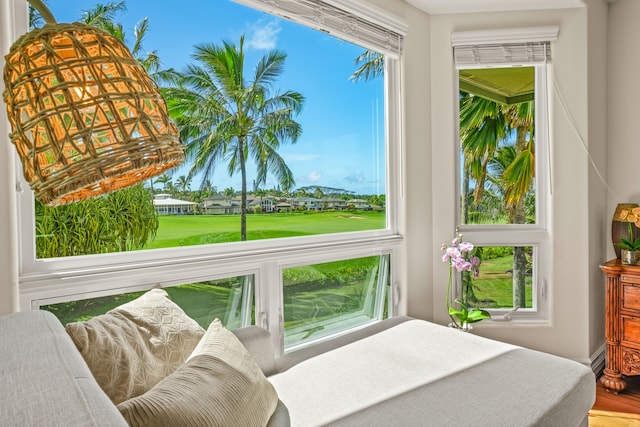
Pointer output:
323, 299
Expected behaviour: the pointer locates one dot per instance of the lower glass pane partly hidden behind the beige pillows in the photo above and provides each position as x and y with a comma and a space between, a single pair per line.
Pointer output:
231, 300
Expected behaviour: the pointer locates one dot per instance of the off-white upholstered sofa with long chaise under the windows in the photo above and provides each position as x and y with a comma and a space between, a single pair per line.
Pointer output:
400, 371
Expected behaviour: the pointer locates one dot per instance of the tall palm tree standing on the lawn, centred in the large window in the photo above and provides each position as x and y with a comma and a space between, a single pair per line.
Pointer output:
224, 116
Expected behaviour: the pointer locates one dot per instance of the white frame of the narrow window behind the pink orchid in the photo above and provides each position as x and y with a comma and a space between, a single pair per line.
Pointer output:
522, 235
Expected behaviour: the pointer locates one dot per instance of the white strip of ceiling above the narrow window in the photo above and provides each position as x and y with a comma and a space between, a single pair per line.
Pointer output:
436, 7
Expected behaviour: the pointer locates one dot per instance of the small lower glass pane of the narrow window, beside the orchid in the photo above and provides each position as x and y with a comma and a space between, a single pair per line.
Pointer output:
505, 279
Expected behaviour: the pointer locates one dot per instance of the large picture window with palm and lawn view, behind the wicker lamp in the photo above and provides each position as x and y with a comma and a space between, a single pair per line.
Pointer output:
319, 186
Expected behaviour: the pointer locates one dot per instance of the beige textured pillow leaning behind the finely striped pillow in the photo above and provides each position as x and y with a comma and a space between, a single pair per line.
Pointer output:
134, 346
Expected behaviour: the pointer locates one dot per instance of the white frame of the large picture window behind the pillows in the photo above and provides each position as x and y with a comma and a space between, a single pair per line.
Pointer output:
47, 281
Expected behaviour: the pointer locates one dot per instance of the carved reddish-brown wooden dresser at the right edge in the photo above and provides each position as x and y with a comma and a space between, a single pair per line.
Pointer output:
622, 324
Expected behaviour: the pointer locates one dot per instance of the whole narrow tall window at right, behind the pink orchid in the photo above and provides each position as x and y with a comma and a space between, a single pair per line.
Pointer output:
503, 169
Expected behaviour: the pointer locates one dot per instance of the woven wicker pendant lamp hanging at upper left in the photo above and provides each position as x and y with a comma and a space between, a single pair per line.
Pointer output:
86, 118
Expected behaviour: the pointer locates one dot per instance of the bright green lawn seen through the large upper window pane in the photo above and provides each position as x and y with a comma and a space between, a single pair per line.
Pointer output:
189, 230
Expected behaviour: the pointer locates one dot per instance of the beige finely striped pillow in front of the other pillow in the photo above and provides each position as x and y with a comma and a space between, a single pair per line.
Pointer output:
219, 385
